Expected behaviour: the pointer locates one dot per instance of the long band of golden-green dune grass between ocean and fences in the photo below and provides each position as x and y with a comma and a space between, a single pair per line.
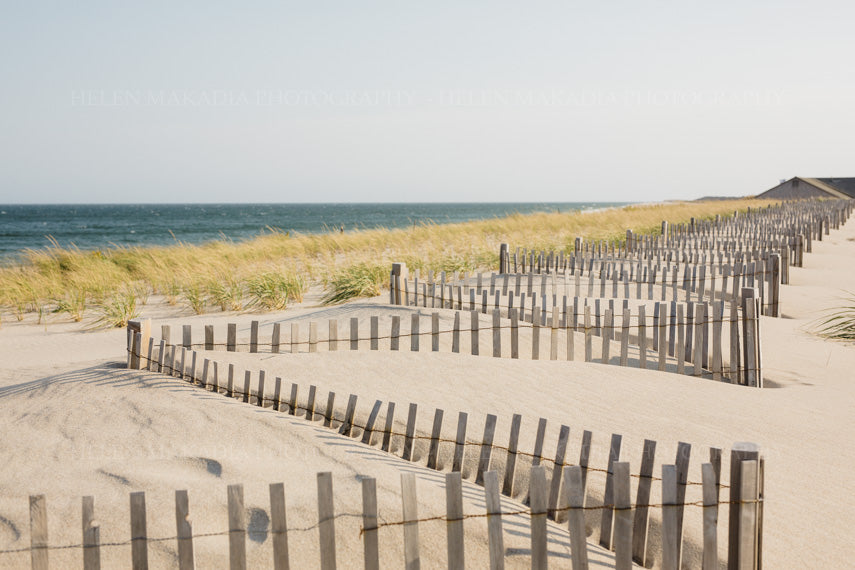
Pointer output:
275, 269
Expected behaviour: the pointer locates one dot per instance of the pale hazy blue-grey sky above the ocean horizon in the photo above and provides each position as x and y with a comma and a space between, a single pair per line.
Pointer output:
129, 102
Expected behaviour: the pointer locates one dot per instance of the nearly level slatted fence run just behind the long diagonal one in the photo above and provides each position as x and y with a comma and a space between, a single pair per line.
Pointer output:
716, 340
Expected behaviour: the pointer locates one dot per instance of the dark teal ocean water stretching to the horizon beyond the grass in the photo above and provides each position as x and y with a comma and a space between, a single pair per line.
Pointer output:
103, 226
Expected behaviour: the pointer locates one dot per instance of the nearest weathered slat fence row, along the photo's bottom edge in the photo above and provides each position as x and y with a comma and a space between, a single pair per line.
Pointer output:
623, 516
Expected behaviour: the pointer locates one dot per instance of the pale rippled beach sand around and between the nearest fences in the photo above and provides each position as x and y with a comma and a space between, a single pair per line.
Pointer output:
76, 422
